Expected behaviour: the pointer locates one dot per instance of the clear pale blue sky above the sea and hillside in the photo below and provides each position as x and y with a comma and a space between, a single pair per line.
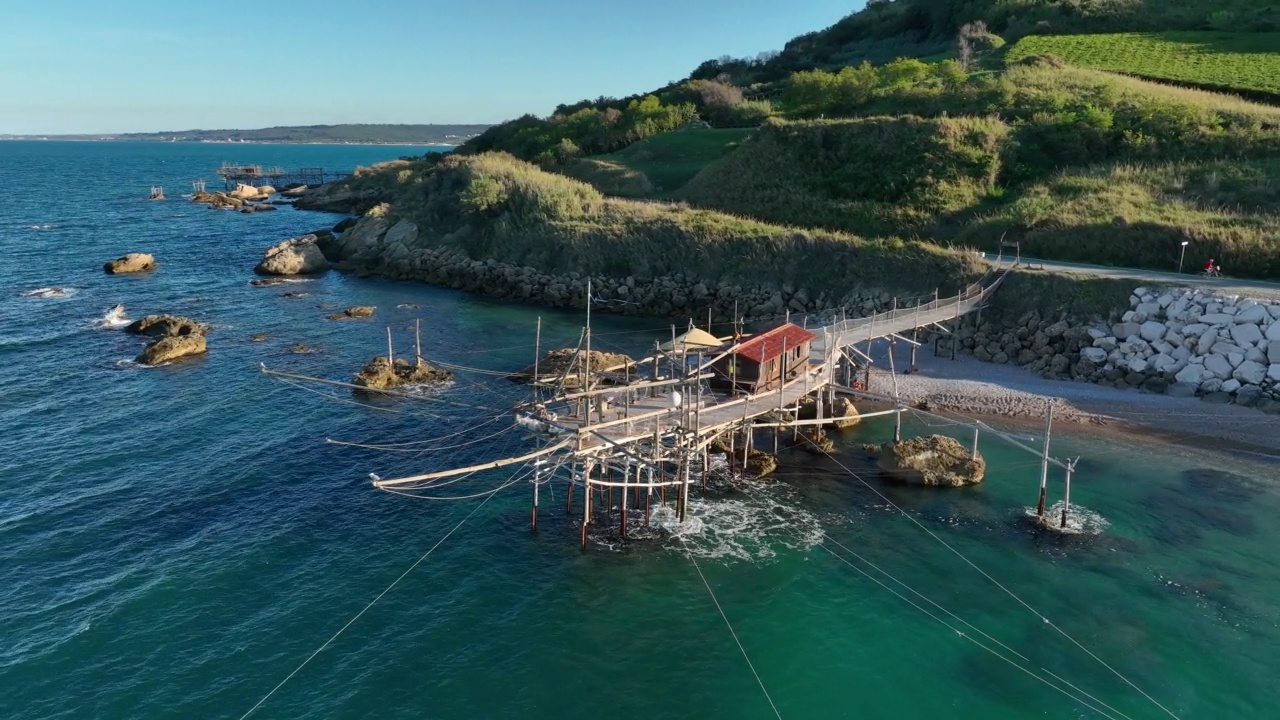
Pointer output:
89, 66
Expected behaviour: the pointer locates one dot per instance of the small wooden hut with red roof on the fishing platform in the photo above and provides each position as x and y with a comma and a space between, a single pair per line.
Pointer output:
765, 361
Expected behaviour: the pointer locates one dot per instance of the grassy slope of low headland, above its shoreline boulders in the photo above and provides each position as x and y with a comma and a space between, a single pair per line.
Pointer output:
493, 206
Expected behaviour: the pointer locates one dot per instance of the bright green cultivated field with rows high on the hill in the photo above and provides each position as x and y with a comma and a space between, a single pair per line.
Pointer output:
1235, 62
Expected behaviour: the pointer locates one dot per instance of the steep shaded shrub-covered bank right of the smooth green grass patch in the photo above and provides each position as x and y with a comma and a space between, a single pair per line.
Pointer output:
881, 176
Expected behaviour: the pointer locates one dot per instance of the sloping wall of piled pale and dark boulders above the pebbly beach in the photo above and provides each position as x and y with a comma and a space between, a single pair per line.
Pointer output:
1178, 341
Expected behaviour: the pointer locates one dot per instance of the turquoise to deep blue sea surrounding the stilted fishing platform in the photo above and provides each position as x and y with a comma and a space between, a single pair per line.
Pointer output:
175, 543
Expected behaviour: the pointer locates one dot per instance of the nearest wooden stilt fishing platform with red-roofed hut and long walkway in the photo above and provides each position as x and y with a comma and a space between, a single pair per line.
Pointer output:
627, 438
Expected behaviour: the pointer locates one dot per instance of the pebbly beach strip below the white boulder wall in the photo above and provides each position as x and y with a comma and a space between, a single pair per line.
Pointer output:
970, 386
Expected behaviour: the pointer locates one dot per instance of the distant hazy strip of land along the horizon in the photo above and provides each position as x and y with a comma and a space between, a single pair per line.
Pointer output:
350, 134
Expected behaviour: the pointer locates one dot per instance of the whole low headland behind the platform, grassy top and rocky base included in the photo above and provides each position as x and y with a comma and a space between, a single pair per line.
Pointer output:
493, 225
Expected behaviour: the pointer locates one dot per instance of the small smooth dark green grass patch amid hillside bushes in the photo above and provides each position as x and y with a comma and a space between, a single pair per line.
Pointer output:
657, 166
